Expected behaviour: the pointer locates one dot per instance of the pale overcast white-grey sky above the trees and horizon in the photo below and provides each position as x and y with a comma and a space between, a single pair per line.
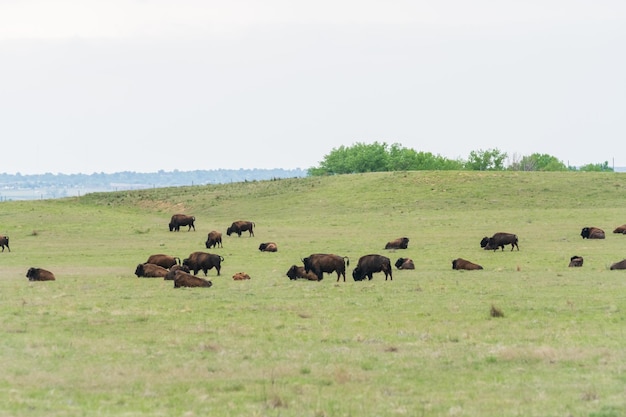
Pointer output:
108, 86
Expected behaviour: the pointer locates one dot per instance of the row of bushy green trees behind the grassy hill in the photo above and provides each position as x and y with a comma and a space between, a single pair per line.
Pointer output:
381, 157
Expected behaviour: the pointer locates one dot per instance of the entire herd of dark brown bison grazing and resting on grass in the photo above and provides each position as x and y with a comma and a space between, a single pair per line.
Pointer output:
184, 273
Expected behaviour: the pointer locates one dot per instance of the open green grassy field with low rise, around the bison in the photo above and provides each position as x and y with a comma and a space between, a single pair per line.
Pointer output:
101, 342
